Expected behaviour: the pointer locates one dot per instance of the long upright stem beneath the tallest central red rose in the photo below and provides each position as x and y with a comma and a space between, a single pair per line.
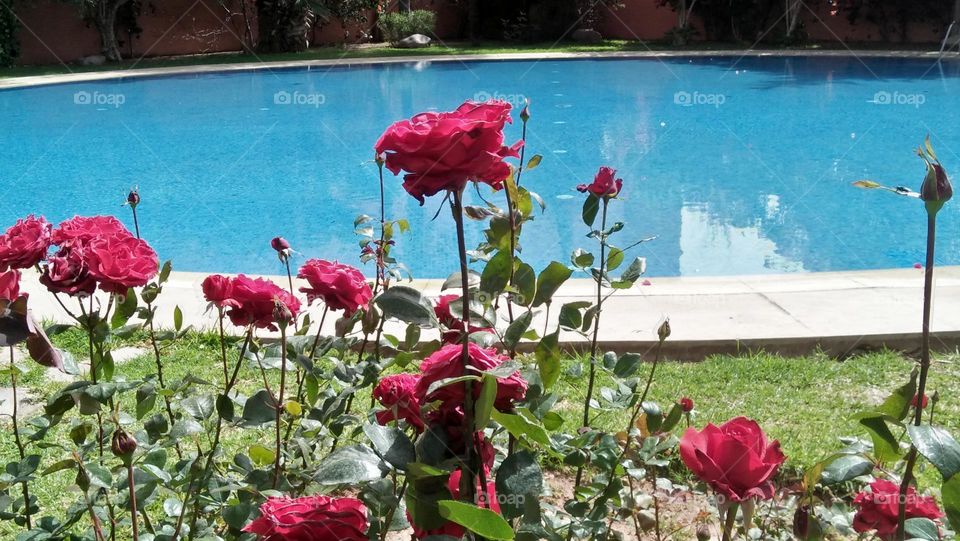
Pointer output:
467, 487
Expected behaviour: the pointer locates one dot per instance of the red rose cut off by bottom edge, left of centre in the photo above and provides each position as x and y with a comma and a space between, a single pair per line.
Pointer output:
311, 518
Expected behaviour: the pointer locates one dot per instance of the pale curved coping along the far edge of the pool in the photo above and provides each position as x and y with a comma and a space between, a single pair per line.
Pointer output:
281, 65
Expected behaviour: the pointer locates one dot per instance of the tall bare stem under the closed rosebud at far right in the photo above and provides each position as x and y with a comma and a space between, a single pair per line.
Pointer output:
924, 370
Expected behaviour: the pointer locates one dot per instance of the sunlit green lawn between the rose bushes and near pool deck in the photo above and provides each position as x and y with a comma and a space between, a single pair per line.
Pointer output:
805, 402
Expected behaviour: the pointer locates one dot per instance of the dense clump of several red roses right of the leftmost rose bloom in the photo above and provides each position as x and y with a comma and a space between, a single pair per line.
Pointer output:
97, 251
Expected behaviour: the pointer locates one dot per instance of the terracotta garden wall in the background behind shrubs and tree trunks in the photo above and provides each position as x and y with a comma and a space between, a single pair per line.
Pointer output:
54, 32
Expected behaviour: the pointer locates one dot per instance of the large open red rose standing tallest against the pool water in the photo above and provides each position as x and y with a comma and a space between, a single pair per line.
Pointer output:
443, 151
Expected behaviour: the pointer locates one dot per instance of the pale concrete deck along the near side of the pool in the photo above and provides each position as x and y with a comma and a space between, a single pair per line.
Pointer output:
790, 314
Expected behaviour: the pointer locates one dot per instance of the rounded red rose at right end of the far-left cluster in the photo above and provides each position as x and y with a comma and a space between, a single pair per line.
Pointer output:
120, 262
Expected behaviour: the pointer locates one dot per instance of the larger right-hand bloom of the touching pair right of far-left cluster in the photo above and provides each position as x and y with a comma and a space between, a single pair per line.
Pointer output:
254, 301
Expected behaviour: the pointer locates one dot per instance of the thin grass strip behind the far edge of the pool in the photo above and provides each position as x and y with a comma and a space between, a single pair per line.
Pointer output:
450, 48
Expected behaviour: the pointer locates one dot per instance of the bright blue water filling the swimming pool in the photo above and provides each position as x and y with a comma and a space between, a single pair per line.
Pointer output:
739, 166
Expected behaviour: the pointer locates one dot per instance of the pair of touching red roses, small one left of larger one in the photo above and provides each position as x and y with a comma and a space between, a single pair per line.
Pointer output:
249, 301
